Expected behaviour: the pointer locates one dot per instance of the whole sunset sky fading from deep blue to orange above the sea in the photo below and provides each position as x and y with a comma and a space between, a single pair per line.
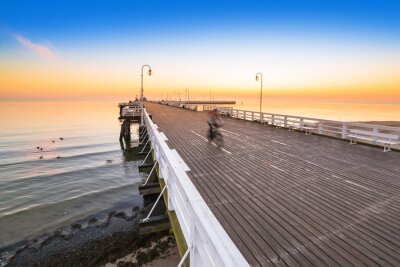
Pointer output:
94, 50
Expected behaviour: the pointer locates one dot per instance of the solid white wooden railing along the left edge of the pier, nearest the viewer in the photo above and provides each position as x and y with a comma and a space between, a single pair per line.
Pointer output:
208, 243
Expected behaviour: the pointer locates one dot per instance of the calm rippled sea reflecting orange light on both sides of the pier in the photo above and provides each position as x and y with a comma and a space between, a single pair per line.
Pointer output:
73, 179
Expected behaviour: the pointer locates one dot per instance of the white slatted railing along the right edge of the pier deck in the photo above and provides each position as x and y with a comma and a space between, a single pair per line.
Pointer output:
324, 127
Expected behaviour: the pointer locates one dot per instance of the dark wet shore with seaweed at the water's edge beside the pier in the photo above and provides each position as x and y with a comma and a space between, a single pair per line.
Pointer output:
101, 240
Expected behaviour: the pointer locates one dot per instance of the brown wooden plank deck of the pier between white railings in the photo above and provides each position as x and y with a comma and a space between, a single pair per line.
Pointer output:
290, 199
